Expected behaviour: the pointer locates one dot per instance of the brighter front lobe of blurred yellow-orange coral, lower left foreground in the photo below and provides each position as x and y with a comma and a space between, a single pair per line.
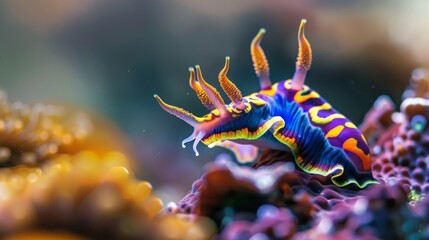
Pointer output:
95, 190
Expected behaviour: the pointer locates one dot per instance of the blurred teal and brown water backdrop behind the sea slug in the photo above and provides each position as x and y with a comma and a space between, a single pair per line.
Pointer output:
110, 57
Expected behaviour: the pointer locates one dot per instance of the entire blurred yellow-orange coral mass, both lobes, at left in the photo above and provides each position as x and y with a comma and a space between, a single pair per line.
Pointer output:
60, 171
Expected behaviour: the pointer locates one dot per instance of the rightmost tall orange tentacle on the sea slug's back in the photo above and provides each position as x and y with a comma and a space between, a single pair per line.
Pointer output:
303, 61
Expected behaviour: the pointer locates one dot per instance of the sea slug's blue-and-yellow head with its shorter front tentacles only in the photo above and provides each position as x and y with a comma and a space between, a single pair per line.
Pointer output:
243, 119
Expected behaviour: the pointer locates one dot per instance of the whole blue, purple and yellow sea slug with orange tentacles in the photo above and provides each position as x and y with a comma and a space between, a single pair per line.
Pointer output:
286, 116
